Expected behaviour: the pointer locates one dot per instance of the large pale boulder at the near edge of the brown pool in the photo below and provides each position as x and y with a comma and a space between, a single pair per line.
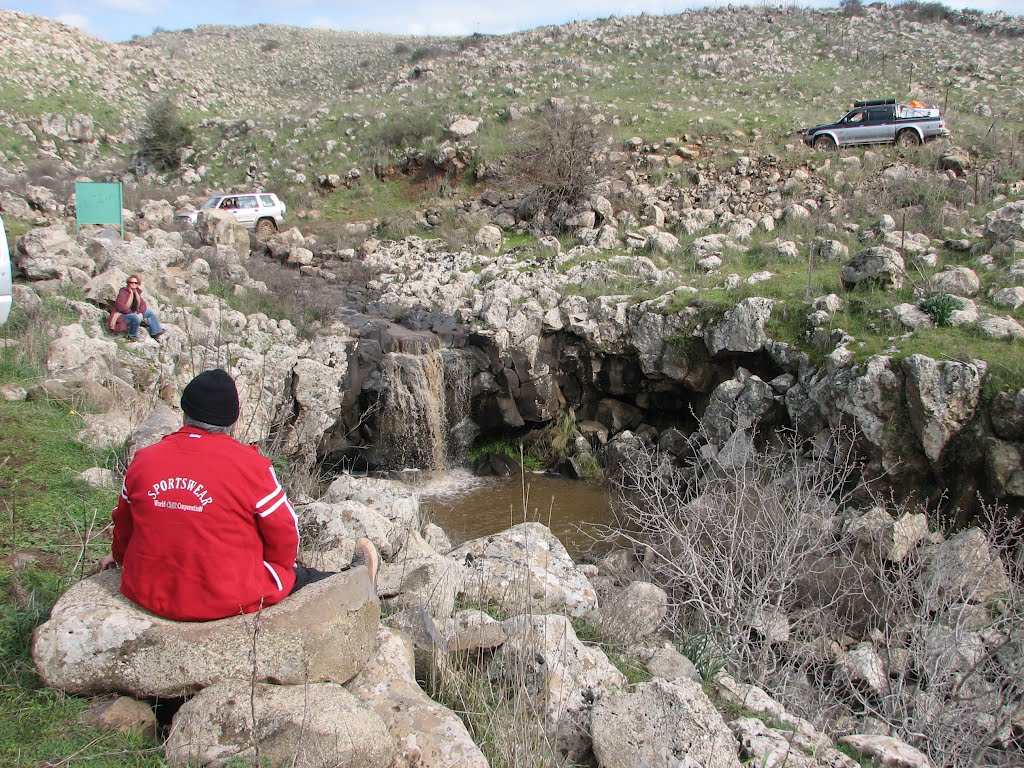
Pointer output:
526, 569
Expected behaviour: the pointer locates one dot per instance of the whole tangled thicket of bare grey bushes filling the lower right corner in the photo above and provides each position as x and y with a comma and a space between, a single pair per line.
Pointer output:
782, 580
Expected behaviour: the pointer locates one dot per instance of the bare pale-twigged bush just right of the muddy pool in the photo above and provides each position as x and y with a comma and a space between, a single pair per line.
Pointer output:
737, 545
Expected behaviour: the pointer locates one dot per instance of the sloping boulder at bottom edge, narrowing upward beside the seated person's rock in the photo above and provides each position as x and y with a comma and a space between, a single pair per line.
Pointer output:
430, 736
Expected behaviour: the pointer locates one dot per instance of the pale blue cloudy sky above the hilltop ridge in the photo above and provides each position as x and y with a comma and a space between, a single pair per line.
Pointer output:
117, 21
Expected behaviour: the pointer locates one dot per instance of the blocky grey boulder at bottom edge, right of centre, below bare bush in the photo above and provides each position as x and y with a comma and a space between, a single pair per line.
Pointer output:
662, 726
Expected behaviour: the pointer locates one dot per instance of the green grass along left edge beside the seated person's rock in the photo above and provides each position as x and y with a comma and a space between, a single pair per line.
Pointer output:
53, 530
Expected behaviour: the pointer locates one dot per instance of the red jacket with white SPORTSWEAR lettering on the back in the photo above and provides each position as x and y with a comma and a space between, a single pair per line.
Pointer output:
204, 530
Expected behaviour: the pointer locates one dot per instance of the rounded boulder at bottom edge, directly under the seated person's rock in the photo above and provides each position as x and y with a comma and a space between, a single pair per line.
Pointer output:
318, 726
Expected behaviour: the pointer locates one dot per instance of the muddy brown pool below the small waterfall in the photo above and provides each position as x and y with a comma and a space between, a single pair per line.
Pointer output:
468, 507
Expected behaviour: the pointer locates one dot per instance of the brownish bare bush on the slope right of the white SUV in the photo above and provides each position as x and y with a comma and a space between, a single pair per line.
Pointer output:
558, 159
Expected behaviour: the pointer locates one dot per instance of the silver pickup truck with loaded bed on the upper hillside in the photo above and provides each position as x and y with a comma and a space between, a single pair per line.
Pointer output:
880, 122
